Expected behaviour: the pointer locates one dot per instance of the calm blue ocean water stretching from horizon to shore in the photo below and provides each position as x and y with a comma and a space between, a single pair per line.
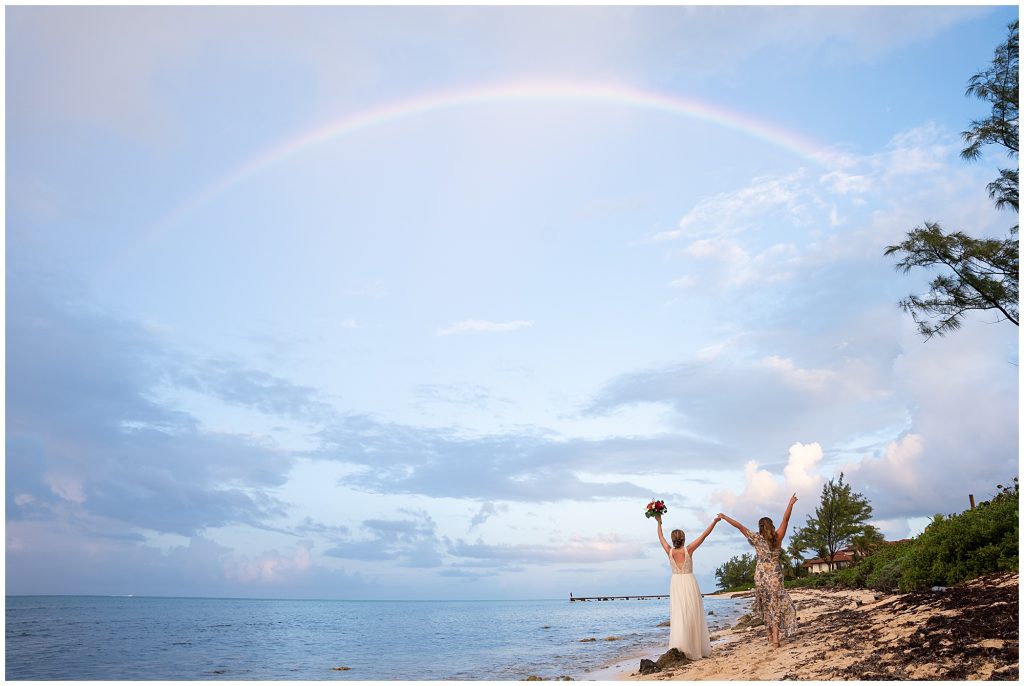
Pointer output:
52, 638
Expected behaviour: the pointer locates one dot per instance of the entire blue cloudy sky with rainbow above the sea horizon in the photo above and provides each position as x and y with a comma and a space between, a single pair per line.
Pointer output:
453, 353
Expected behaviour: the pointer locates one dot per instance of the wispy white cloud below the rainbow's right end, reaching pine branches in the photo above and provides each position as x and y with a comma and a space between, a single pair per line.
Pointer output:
779, 231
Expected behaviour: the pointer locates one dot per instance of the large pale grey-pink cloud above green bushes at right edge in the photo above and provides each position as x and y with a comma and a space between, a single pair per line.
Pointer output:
963, 434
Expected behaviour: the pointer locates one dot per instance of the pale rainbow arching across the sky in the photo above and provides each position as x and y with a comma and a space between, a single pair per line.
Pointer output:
511, 93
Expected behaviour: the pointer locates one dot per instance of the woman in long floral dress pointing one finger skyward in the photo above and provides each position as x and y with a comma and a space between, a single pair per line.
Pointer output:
771, 599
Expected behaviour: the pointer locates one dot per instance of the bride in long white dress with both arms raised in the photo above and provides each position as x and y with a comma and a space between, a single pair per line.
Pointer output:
689, 631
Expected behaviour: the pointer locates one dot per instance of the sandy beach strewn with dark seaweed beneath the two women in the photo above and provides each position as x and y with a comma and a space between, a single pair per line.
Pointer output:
968, 632
